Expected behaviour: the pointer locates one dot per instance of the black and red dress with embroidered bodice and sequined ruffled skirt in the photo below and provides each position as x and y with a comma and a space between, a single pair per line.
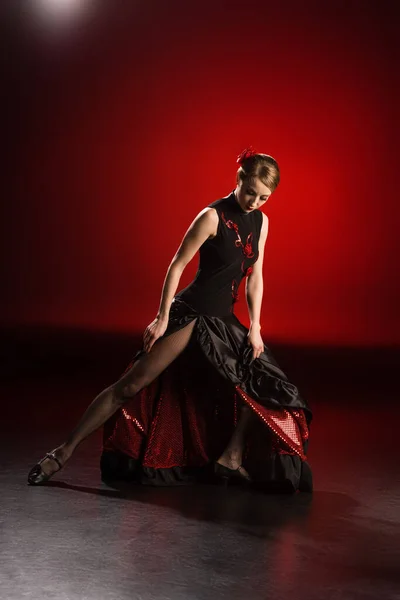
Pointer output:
173, 429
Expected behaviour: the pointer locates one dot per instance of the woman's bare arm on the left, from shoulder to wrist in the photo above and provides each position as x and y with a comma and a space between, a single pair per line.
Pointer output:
203, 226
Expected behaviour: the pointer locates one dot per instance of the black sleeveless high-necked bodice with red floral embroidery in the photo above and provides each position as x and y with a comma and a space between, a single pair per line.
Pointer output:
225, 259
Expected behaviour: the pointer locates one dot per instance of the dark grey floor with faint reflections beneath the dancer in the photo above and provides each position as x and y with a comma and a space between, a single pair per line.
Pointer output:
77, 538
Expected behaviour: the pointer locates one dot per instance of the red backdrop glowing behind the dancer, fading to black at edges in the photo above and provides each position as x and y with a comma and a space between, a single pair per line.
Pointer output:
126, 120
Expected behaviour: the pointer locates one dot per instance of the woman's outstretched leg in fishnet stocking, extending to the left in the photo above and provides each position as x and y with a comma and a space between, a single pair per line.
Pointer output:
142, 373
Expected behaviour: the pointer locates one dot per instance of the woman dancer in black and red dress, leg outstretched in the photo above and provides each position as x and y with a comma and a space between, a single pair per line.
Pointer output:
204, 399
